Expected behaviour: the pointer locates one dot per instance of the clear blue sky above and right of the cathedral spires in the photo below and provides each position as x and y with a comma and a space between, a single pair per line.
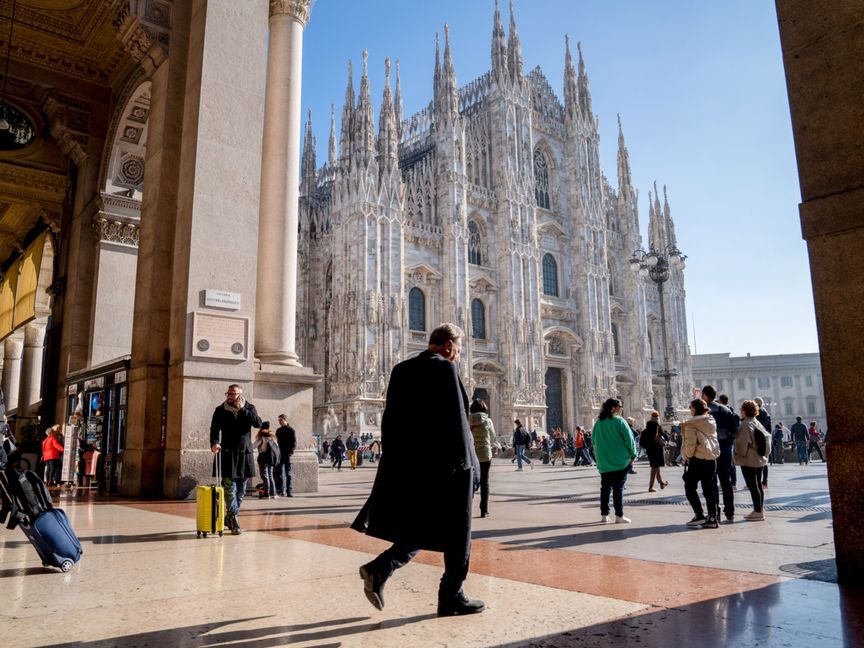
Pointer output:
701, 92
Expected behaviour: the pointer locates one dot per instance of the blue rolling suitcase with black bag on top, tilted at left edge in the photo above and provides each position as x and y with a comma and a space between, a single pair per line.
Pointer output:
26, 502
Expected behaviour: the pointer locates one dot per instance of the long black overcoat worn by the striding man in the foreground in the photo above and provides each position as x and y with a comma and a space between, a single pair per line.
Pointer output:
423, 488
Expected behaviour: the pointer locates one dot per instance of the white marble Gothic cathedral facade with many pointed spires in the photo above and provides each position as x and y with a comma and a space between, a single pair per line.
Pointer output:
488, 209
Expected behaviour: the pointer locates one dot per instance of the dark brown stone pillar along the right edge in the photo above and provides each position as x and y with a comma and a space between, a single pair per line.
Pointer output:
823, 50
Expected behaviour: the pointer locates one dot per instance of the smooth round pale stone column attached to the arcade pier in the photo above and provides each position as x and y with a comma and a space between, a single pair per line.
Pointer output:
276, 308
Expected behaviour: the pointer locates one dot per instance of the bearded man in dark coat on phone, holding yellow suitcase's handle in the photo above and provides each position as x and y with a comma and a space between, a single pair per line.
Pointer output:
235, 419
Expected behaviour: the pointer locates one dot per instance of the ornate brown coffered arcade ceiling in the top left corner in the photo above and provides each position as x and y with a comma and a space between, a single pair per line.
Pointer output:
69, 63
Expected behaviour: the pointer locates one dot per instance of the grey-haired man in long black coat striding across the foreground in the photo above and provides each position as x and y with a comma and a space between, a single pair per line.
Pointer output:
422, 501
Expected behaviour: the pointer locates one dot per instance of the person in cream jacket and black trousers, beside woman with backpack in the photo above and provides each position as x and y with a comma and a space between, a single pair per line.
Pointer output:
700, 449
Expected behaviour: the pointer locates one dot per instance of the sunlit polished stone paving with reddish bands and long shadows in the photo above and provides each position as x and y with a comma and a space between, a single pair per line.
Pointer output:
550, 573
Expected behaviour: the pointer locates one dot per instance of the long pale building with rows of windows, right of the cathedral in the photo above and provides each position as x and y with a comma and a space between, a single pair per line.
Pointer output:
790, 385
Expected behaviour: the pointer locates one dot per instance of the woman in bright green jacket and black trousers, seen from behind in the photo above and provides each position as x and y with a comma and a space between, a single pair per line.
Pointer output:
614, 451
